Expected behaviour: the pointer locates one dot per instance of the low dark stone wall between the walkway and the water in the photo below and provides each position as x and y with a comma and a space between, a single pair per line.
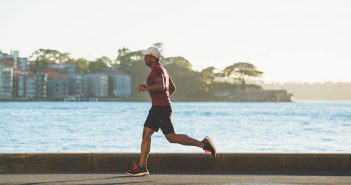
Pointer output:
266, 163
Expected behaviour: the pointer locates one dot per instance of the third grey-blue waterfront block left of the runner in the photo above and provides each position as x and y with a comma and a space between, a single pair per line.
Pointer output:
78, 85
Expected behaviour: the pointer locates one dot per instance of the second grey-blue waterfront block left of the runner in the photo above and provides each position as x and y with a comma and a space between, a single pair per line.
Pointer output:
98, 85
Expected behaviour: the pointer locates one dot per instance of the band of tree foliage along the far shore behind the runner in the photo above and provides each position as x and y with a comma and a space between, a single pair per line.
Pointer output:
190, 84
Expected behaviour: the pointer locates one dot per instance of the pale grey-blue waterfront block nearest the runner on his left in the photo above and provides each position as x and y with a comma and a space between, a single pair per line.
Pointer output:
121, 85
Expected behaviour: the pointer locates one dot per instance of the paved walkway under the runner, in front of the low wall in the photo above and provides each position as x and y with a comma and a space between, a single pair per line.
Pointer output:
161, 179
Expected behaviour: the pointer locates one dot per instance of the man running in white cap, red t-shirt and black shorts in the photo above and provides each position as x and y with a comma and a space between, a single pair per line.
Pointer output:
161, 87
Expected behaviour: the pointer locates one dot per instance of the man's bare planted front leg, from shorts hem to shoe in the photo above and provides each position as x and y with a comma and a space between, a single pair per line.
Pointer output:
145, 145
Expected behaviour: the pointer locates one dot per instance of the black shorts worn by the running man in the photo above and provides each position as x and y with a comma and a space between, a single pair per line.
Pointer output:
160, 117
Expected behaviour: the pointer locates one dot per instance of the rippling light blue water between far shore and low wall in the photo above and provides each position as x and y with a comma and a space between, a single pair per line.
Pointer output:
117, 126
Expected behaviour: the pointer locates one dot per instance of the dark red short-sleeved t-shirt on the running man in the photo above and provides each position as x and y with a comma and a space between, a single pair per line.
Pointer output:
160, 98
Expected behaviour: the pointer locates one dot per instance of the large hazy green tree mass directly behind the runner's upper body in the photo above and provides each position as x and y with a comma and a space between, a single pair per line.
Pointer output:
190, 84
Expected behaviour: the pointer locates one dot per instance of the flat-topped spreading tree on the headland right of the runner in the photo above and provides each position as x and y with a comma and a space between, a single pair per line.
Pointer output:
242, 71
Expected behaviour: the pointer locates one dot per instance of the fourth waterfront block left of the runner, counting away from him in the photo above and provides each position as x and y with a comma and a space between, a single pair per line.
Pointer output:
57, 85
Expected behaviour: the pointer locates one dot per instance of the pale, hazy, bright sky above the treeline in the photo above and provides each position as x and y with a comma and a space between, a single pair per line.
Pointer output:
289, 40
